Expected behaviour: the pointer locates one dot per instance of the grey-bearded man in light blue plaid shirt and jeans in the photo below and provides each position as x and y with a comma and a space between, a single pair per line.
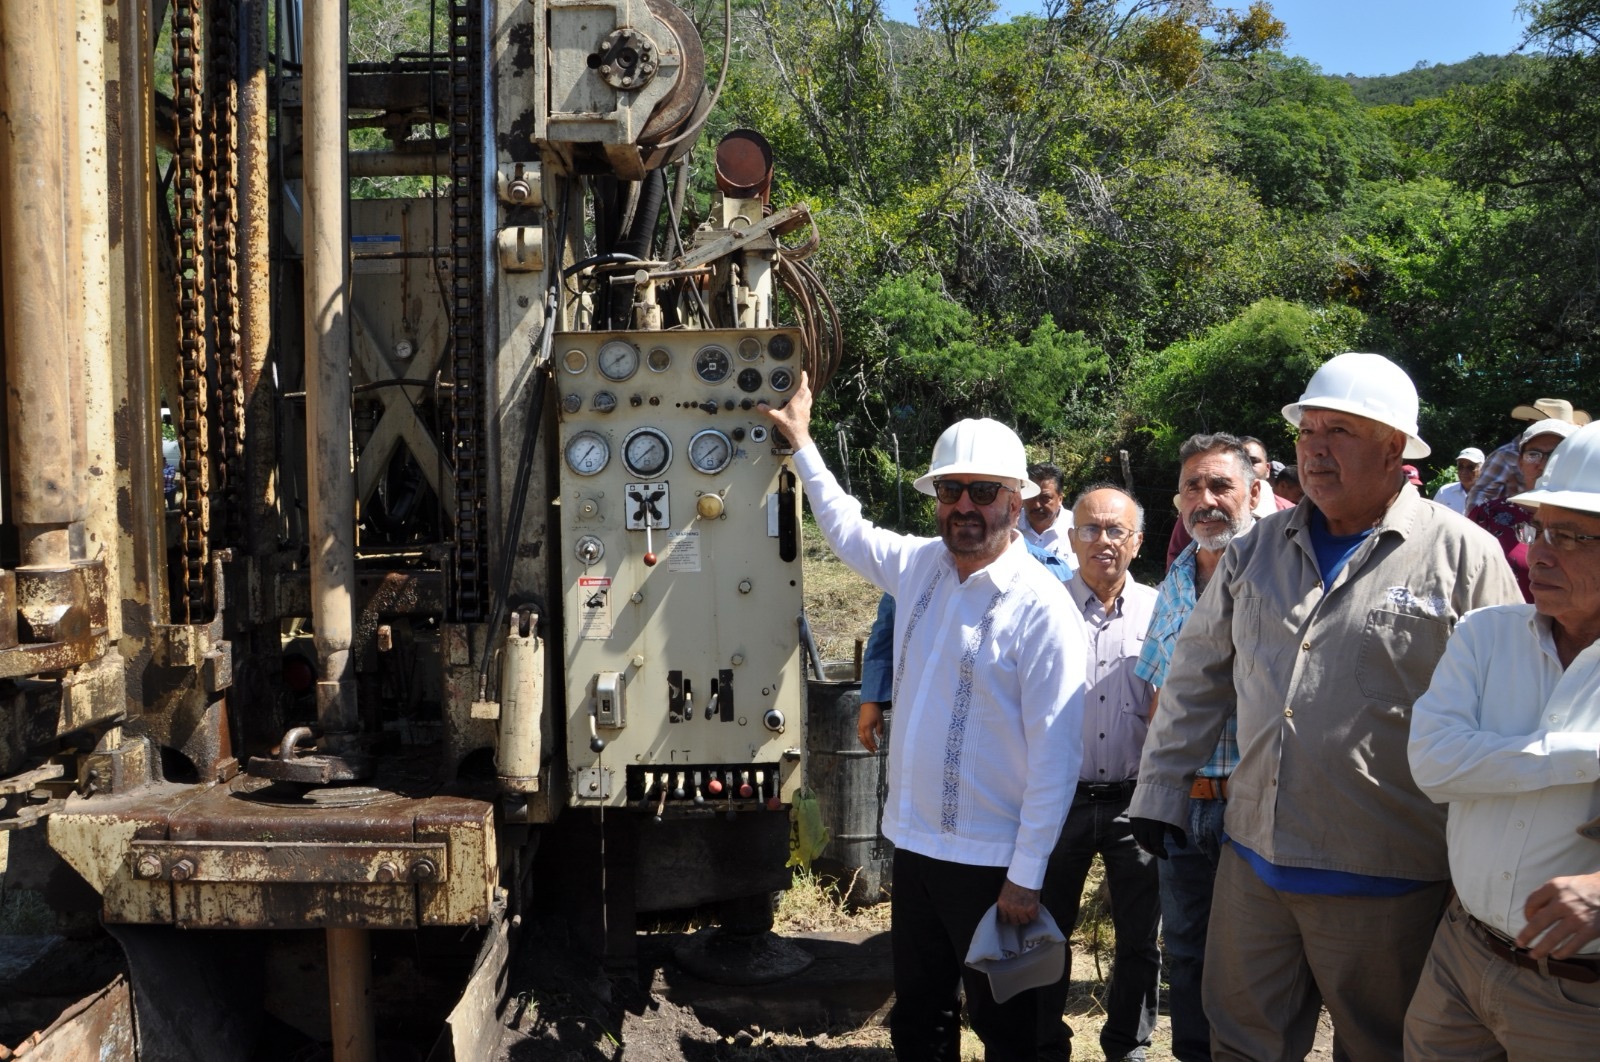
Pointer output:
1217, 493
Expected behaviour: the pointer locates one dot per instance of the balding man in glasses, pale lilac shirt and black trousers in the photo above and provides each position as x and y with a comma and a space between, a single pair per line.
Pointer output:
1110, 527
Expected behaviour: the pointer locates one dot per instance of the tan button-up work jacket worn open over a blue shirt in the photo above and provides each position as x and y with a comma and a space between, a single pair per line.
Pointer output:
1324, 687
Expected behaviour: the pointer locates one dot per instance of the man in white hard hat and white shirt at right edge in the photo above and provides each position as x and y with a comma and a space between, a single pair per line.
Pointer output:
1508, 737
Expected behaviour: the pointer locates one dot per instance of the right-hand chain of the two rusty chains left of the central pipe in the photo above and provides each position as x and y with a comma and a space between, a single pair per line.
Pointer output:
223, 230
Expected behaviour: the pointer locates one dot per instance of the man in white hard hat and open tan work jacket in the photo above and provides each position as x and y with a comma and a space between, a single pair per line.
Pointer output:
1321, 629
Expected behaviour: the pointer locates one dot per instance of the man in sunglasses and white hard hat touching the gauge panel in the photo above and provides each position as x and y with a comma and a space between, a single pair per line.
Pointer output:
990, 666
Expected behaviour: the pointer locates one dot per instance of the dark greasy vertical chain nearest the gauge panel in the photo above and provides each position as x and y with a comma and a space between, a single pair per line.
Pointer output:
466, 297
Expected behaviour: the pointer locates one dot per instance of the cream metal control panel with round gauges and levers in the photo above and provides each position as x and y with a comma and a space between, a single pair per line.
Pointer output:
681, 570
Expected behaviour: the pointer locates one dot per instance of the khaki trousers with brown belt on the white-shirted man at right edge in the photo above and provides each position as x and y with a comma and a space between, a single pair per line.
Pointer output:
1476, 1007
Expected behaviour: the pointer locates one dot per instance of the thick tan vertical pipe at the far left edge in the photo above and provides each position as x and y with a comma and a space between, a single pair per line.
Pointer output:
34, 249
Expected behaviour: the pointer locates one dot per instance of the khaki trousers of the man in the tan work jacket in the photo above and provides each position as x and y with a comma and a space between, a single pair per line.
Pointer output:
1274, 959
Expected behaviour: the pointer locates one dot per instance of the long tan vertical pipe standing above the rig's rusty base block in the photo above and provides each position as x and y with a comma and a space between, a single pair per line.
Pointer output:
329, 442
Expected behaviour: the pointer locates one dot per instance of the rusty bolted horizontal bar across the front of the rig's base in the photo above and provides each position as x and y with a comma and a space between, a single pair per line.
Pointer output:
276, 863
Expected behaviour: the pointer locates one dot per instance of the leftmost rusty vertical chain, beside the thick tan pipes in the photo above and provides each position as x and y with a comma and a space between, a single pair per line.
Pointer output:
190, 194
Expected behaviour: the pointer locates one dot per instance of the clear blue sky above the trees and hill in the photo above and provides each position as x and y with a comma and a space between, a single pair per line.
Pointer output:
1364, 38
